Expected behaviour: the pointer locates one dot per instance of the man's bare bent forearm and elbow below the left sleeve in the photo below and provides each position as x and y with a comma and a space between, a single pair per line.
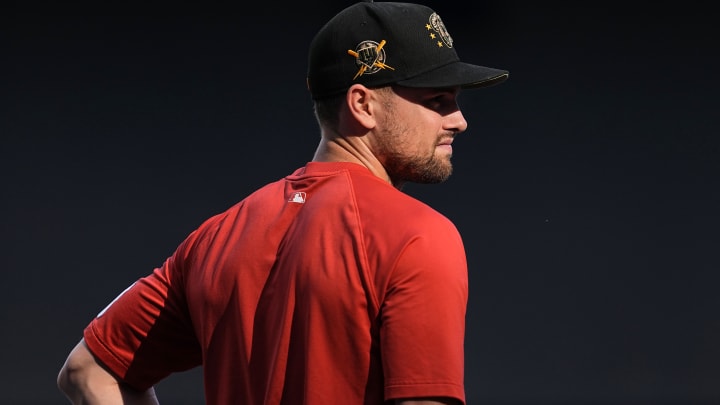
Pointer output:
85, 382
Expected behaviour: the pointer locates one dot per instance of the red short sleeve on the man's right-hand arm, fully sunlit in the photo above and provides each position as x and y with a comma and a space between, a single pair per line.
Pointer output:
423, 318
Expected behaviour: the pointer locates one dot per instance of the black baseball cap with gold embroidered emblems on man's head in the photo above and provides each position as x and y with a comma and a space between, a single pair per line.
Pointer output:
382, 43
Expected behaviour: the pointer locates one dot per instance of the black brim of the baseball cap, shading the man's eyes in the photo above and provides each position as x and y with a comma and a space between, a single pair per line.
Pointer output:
459, 74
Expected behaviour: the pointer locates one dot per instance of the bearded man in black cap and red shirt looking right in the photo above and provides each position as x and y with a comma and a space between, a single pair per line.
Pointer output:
330, 285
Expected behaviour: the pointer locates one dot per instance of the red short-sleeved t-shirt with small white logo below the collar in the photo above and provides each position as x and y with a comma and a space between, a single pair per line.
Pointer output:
328, 286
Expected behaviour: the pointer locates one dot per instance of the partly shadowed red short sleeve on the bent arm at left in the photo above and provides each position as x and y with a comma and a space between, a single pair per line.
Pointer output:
145, 334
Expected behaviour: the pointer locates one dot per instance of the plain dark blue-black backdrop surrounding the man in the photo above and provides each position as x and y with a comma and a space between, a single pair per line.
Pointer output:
586, 187
